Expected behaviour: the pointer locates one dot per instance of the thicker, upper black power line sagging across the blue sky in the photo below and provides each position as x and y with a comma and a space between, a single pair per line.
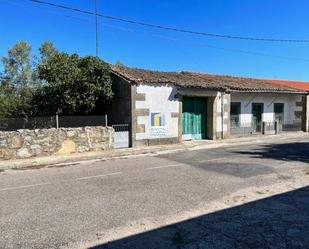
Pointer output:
171, 28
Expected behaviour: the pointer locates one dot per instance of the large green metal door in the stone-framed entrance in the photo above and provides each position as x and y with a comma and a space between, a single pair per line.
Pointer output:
194, 118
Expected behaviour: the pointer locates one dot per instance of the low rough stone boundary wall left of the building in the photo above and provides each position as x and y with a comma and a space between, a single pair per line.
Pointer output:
47, 142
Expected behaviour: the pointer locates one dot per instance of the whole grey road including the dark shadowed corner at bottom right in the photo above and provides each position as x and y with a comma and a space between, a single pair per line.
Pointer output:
77, 206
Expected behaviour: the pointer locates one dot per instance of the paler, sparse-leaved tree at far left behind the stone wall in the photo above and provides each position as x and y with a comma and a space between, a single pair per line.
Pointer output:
19, 81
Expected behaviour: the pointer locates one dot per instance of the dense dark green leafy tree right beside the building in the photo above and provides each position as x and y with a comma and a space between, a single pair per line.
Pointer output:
74, 84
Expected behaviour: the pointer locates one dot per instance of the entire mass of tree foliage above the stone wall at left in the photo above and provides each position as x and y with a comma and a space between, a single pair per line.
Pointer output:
54, 82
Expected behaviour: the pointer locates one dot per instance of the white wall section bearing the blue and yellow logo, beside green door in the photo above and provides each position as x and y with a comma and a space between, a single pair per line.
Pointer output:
159, 99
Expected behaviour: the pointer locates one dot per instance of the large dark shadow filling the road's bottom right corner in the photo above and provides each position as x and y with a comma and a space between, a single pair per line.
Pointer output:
280, 221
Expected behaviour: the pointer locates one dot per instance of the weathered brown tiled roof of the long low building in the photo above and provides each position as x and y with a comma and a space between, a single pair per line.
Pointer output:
200, 80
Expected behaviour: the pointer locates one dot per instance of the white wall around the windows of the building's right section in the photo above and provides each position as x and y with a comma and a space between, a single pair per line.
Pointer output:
268, 99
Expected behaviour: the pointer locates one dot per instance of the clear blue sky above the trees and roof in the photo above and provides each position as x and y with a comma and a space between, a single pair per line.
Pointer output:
163, 50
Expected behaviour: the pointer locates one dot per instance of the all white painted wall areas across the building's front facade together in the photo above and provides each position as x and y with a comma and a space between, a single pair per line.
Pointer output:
161, 99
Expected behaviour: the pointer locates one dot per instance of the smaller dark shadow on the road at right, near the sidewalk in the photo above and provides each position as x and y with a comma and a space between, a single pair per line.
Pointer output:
286, 152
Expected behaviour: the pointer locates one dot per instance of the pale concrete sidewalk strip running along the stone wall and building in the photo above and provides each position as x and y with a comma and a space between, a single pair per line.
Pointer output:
120, 153
